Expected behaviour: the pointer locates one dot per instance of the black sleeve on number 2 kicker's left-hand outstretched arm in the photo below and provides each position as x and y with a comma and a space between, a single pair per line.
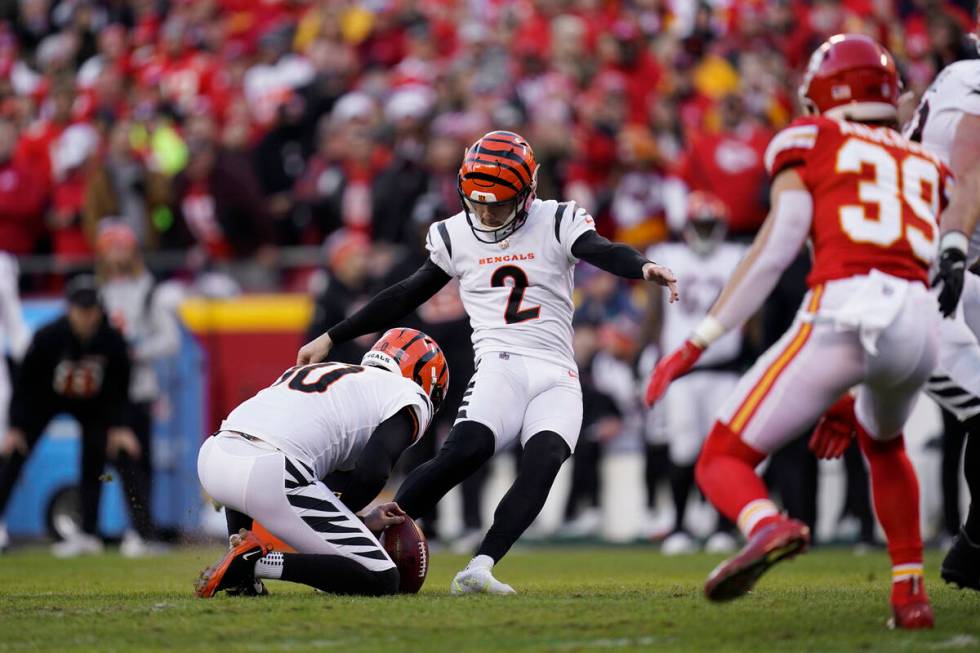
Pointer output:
392, 303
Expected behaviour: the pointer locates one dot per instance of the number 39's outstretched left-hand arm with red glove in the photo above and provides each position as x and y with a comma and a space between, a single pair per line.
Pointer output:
780, 239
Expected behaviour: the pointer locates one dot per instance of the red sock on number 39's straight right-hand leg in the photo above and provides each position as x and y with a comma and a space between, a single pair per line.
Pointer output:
896, 497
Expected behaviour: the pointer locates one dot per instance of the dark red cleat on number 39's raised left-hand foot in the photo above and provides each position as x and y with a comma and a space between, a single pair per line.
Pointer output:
773, 543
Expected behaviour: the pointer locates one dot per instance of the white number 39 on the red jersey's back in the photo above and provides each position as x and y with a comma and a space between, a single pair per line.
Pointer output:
886, 191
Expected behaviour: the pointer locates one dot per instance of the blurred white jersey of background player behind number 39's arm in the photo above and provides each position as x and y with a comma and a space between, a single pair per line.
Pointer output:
700, 279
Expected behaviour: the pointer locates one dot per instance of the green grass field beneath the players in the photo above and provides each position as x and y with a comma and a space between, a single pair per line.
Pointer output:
571, 599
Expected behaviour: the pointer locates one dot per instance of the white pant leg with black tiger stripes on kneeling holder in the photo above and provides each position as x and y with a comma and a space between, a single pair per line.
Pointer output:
301, 511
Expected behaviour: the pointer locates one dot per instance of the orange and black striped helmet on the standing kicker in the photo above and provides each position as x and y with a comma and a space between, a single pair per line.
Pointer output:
498, 170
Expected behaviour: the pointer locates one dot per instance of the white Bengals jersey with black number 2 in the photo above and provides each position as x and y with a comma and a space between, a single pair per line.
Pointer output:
518, 293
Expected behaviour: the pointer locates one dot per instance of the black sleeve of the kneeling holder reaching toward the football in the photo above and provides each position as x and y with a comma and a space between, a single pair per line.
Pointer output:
376, 460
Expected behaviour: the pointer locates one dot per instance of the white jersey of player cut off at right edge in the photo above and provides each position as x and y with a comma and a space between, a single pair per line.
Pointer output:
954, 92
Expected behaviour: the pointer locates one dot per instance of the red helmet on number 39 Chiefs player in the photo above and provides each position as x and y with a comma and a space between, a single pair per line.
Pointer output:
851, 76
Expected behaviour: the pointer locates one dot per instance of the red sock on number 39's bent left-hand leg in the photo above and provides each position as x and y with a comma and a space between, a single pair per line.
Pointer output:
725, 472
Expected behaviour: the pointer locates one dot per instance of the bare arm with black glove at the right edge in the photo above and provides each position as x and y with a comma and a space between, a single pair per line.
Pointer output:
960, 217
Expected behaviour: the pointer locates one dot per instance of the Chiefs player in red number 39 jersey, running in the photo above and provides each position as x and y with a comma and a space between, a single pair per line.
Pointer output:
868, 200
